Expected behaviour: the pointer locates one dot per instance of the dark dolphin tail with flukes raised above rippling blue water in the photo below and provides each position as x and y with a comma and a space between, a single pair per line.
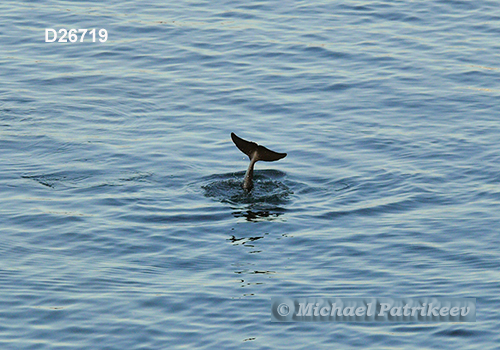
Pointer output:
255, 152
